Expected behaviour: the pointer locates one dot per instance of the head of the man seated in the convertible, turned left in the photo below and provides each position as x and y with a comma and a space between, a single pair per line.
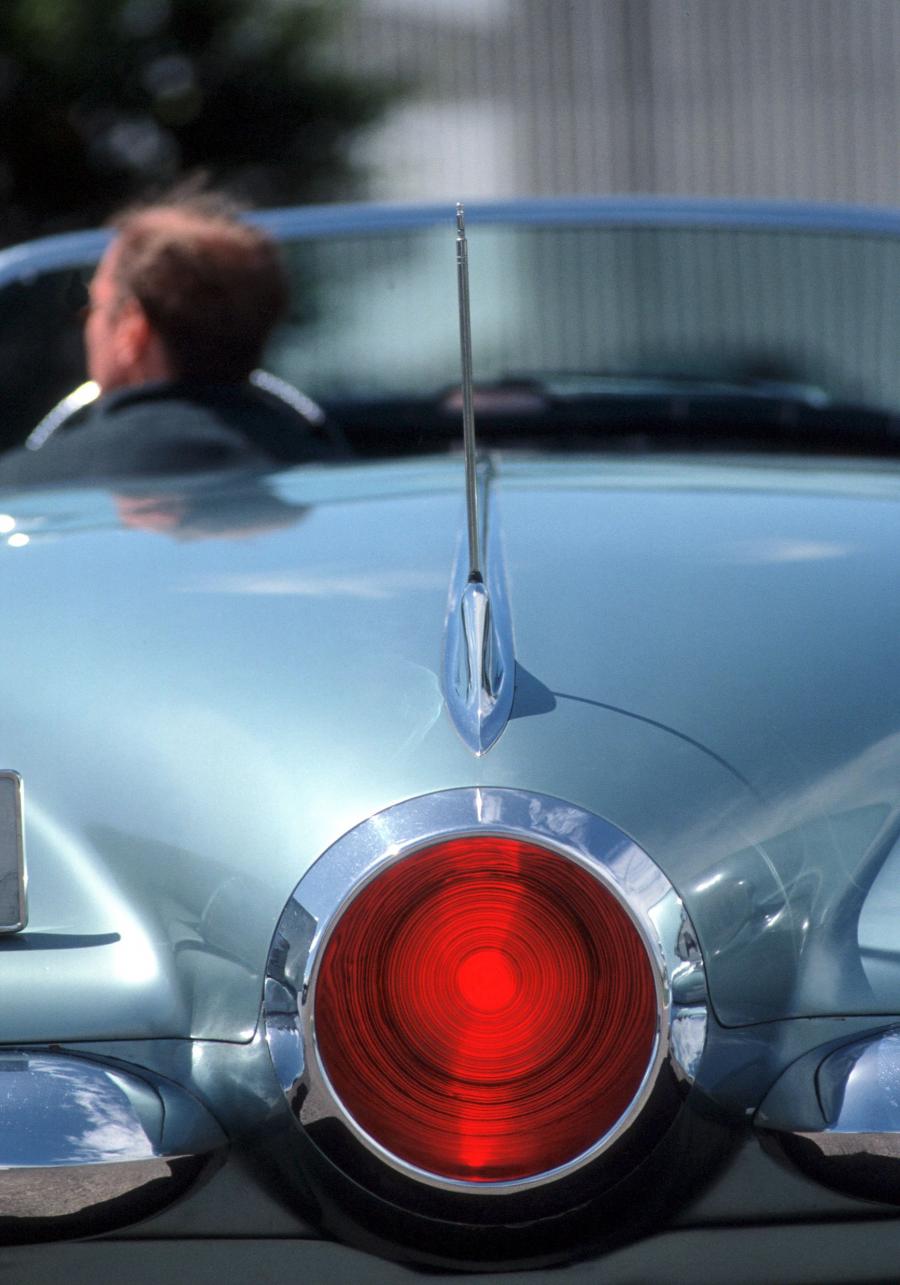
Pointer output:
186, 291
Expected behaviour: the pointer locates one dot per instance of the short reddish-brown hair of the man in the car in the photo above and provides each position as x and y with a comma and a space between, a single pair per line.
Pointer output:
211, 286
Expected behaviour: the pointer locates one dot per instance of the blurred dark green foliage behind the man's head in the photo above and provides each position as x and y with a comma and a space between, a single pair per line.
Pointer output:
102, 101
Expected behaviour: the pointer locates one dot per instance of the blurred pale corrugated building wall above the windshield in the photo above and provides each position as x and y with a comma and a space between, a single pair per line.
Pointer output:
796, 100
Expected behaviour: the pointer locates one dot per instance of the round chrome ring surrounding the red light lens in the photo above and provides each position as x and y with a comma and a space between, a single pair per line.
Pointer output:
364, 853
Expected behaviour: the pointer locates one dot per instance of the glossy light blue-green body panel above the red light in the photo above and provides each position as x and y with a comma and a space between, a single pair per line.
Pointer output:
206, 687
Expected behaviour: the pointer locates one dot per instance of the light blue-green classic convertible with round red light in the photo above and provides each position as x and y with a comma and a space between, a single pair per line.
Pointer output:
470, 862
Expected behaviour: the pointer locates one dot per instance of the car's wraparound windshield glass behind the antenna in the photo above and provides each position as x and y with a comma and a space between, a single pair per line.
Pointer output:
591, 330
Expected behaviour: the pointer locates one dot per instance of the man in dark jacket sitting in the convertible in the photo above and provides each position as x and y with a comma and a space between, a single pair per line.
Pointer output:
179, 312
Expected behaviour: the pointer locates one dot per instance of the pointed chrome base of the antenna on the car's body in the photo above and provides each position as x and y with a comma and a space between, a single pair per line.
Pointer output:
479, 670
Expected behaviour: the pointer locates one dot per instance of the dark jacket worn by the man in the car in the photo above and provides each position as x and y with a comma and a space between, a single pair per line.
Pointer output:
168, 429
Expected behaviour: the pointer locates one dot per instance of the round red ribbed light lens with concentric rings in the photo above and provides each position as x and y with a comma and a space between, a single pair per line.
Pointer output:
487, 1009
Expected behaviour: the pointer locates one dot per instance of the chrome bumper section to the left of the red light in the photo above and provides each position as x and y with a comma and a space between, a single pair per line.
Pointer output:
79, 1138
